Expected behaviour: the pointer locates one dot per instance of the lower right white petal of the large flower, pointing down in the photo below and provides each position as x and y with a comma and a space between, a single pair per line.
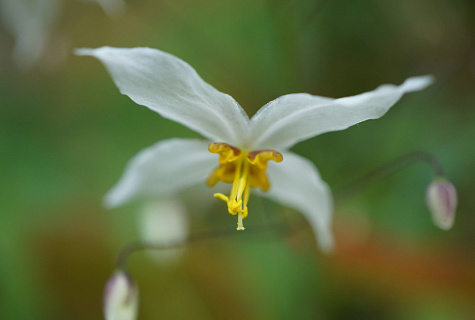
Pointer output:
296, 183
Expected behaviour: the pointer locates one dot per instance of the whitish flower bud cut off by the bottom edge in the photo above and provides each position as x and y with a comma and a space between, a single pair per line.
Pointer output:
120, 297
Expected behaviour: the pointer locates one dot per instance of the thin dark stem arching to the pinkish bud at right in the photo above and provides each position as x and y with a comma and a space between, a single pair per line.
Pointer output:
387, 169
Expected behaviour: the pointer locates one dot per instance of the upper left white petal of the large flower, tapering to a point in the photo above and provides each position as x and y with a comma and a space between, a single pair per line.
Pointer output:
171, 87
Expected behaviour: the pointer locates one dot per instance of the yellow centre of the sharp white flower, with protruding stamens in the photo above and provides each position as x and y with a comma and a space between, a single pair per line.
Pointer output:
244, 170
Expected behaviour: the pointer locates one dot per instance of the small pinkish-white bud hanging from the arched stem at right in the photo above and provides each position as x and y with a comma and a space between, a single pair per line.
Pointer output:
441, 198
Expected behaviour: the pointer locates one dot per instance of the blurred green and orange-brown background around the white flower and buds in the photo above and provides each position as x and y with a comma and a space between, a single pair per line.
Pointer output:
66, 134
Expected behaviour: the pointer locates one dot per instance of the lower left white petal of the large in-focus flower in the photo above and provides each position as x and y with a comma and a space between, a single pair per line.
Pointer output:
163, 169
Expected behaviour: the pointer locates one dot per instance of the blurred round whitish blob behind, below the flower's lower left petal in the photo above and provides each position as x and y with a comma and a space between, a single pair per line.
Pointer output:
164, 222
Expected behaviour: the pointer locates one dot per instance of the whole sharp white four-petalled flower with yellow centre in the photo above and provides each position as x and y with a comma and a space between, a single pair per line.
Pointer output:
249, 153
